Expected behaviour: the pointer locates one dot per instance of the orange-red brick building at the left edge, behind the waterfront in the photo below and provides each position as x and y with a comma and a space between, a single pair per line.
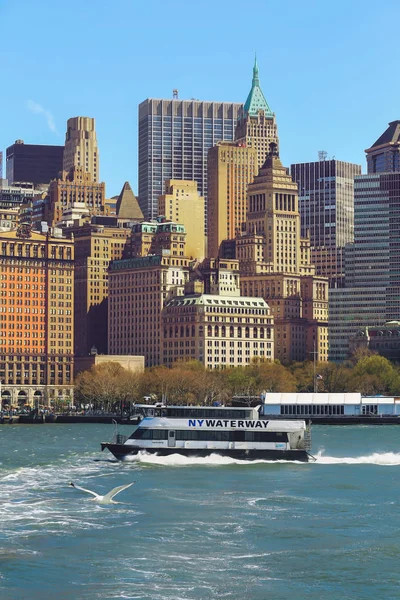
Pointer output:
36, 317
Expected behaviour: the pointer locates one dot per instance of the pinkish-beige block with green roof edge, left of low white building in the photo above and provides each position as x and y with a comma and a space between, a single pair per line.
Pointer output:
138, 289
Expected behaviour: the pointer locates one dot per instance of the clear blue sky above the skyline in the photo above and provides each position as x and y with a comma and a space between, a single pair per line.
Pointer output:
329, 70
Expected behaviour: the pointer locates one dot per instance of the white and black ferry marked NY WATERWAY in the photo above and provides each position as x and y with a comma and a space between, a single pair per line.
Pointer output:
242, 433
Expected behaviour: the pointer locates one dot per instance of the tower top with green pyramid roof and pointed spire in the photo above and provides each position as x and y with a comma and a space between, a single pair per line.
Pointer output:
256, 127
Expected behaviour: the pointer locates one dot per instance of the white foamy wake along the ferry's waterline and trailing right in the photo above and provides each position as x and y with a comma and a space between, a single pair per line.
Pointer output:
388, 459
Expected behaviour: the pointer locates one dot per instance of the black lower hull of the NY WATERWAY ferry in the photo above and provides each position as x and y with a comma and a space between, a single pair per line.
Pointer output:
121, 451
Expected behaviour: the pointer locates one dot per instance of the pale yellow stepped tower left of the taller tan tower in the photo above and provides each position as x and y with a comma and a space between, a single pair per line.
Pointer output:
182, 204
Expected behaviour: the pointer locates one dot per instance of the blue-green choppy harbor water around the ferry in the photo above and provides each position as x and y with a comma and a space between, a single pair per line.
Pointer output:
198, 529
